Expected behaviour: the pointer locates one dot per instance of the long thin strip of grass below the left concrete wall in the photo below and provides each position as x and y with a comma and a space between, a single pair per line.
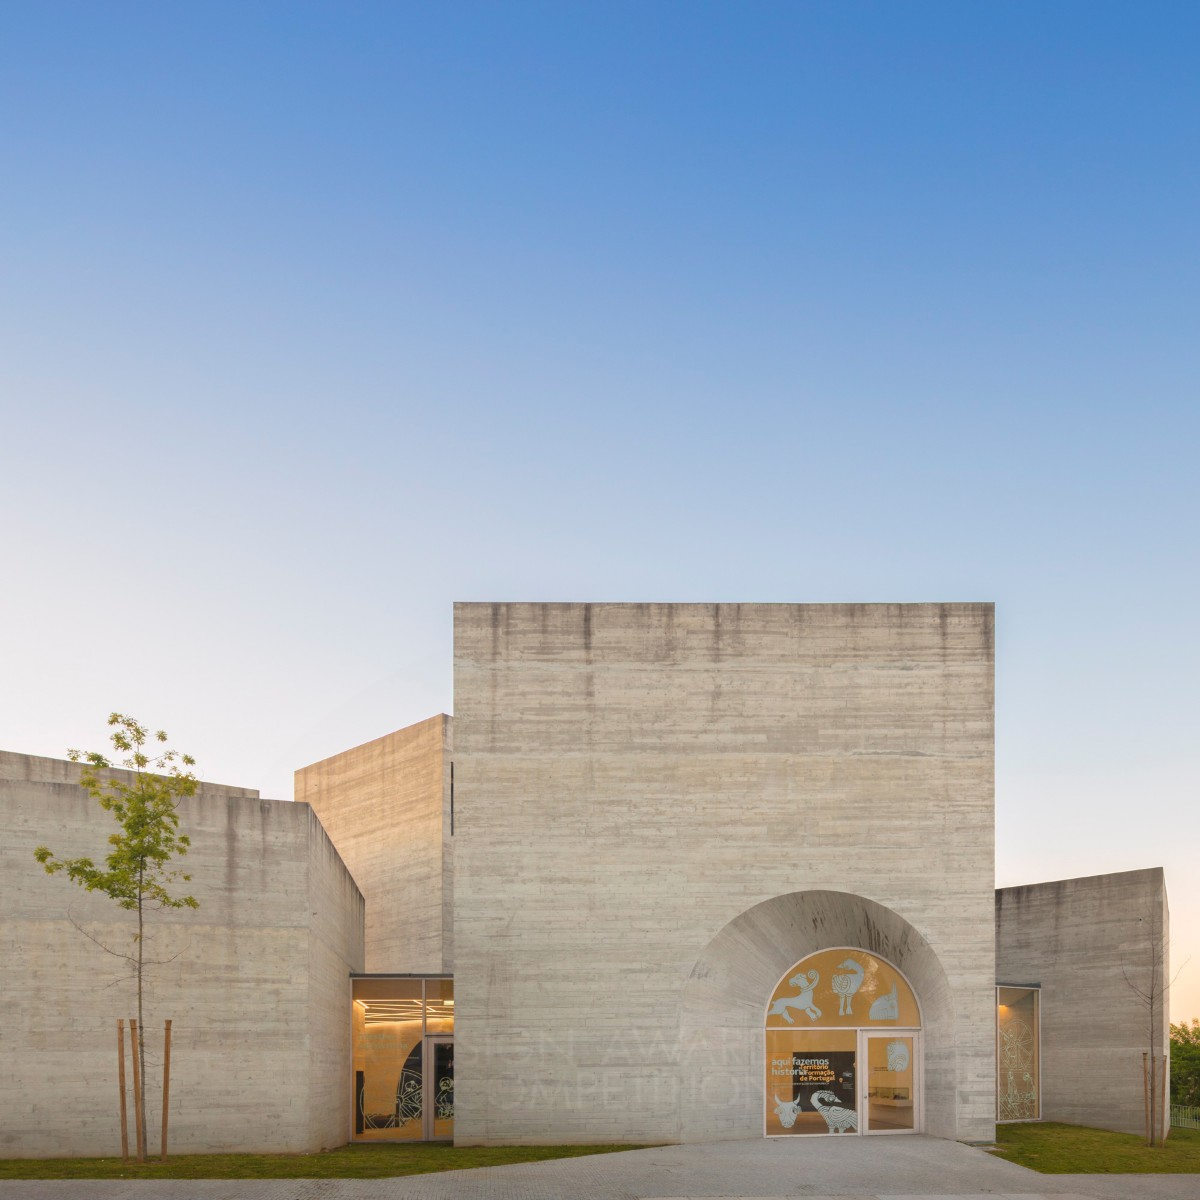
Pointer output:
349, 1163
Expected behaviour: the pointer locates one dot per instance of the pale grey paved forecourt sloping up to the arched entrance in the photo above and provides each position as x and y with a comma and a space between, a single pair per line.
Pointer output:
843, 1168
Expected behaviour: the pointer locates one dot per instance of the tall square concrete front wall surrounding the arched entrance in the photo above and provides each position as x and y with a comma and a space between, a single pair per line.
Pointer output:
633, 779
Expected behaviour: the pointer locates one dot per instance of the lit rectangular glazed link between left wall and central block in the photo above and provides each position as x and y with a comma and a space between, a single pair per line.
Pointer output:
404, 1082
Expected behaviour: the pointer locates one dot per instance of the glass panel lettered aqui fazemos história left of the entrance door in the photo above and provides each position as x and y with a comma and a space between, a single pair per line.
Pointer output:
812, 1082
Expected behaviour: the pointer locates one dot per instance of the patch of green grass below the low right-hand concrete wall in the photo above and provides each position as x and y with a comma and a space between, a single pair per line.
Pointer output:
1069, 1150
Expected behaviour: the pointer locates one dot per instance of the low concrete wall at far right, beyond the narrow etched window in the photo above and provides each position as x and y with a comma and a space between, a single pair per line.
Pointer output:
1093, 945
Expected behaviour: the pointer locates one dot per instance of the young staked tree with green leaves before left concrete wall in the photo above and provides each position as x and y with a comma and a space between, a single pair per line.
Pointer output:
137, 872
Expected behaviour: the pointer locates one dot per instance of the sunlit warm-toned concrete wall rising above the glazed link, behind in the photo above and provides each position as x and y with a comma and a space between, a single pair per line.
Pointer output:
387, 807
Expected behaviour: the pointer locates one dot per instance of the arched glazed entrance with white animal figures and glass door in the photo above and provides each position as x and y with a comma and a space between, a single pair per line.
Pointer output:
843, 1048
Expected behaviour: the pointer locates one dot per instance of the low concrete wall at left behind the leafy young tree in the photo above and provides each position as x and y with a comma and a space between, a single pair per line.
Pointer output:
257, 987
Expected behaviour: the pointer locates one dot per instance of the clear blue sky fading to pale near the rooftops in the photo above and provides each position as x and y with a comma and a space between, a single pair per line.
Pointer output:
317, 317
